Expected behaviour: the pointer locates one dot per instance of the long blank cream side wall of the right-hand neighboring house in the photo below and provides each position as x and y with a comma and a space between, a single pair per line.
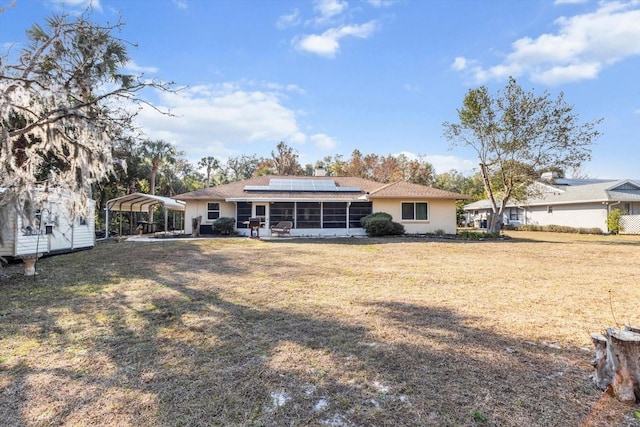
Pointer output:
577, 215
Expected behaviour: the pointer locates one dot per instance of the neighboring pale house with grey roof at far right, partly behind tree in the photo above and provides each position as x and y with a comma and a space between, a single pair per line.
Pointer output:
579, 203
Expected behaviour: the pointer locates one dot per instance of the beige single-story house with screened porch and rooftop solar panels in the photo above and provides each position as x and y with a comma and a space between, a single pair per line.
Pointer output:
321, 205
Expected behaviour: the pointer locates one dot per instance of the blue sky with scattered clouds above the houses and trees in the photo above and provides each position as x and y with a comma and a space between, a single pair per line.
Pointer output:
381, 76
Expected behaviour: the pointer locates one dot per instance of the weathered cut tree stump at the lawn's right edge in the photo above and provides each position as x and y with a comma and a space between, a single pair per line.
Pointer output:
617, 362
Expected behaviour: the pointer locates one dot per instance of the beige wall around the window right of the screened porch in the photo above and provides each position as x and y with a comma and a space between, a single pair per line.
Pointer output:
441, 214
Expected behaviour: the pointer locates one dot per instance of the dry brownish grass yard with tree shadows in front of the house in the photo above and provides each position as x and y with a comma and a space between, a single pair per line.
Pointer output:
336, 332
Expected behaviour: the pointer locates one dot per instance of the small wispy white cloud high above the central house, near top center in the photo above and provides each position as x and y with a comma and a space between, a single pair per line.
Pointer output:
327, 44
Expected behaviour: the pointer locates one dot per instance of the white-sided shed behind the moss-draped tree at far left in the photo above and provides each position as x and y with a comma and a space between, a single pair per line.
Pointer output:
55, 230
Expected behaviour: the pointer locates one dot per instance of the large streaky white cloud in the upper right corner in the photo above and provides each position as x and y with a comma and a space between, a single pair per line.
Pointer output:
581, 48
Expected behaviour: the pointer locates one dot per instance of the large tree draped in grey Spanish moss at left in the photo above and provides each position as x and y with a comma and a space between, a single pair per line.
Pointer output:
64, 103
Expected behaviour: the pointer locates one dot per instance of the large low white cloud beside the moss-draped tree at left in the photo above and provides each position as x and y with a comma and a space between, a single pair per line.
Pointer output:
222, 120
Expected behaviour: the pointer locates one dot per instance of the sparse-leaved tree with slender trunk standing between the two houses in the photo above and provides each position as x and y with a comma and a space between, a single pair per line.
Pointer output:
516, 135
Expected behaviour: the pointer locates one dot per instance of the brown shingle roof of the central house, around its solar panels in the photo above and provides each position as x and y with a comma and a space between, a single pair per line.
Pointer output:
368, 189
